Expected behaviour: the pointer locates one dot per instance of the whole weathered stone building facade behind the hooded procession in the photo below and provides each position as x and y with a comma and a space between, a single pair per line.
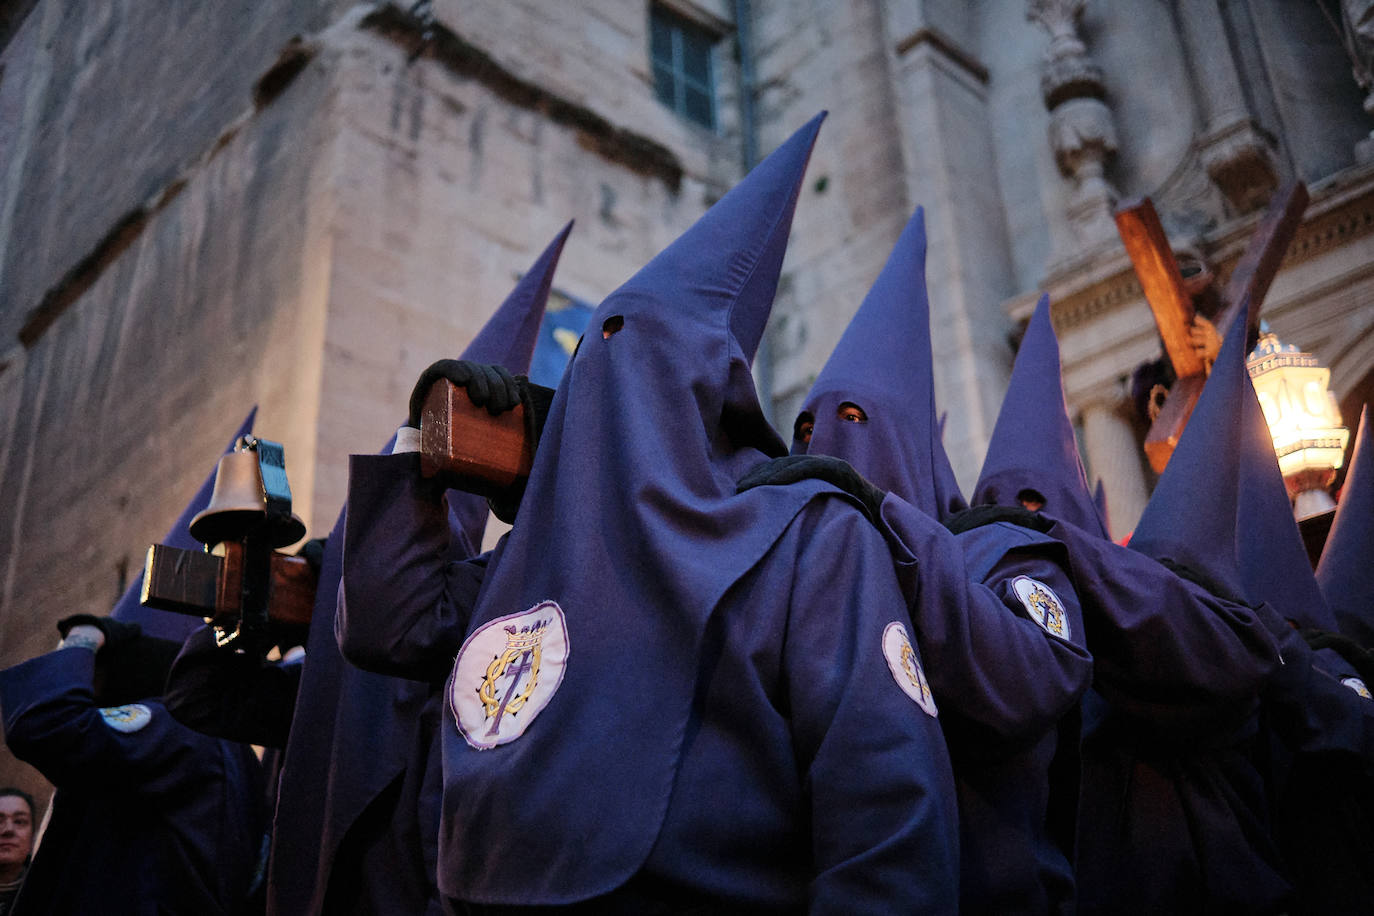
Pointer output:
300, 204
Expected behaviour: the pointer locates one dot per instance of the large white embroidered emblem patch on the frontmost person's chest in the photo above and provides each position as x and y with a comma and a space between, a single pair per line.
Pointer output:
506, 674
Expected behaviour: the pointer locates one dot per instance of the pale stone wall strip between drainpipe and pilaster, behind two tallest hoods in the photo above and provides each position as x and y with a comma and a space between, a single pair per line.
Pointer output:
855, 201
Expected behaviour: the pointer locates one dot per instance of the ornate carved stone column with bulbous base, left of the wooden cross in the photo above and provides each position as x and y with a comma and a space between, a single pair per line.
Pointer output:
1082, 133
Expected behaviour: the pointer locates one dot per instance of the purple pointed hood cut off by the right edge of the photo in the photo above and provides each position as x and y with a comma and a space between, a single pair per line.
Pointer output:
1344, 572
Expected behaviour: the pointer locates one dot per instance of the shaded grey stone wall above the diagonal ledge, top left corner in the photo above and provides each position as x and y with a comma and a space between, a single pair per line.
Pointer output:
123, 98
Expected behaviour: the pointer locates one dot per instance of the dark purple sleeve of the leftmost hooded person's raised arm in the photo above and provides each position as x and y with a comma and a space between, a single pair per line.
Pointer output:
52, 722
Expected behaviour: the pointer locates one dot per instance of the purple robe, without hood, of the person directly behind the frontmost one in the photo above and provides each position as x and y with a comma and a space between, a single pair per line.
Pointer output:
1009, 691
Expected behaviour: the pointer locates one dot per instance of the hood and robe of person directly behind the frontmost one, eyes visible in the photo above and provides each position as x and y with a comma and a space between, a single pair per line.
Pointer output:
1008, 687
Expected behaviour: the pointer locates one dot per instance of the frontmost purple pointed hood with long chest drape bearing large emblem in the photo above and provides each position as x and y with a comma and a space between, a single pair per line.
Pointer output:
629, 536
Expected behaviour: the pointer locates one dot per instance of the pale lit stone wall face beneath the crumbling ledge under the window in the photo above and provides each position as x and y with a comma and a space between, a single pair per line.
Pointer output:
447, 192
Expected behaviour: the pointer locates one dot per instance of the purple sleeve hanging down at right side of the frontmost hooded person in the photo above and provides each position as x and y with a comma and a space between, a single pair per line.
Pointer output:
891, 837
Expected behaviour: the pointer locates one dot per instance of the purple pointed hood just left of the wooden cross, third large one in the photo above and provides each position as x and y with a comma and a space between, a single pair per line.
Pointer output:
1033, 446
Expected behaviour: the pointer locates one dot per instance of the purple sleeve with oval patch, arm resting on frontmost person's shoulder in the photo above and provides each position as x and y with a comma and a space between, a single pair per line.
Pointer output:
998, 669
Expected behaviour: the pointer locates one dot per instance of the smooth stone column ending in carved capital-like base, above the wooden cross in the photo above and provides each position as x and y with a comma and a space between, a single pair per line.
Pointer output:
1237, 153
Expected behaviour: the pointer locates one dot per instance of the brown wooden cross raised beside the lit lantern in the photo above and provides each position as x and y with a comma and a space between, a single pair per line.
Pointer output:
1163, 286
